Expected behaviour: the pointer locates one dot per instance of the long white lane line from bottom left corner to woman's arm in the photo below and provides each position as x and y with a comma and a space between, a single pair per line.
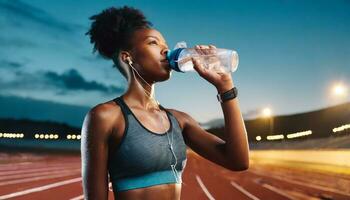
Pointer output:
41, 188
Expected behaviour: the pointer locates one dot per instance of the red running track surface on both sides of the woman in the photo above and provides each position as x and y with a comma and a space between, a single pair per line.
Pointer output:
31, 176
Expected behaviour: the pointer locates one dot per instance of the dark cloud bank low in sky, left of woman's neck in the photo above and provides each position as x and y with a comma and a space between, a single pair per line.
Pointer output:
70, 80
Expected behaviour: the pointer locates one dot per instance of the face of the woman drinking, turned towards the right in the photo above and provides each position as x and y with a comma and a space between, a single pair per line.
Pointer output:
148, 54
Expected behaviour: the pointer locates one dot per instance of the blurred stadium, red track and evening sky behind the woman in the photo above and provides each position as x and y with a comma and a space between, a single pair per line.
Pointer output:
293, 81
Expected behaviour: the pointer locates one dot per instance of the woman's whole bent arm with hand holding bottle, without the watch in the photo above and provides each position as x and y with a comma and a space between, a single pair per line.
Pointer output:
233, 151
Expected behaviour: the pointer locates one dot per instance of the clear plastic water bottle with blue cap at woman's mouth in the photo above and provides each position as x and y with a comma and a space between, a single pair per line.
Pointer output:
221, 60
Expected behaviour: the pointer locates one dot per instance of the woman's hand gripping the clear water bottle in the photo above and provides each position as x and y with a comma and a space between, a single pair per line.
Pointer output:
221, 80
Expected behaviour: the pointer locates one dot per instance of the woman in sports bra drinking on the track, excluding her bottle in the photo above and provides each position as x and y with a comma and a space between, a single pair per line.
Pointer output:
132, 140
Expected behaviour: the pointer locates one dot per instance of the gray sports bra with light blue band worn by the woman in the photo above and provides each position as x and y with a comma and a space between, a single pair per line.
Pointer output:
144, 158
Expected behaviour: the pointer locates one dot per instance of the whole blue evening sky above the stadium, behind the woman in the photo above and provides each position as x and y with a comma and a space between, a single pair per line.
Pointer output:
291, 52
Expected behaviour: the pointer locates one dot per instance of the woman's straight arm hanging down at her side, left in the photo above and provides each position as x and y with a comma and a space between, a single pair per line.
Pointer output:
94, 154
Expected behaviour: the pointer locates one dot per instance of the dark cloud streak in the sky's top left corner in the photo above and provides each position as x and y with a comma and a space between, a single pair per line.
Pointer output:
17, 13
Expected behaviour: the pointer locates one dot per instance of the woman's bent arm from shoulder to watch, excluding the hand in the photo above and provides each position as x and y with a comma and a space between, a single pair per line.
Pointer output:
232, 152
